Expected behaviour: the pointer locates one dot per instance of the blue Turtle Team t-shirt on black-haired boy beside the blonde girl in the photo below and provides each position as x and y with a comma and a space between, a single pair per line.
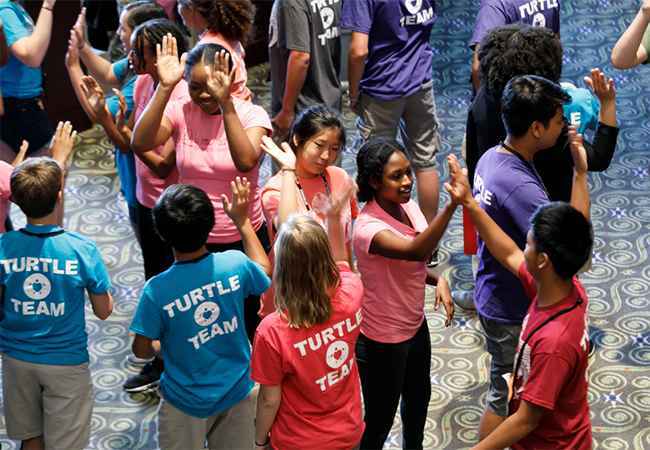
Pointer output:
196, 310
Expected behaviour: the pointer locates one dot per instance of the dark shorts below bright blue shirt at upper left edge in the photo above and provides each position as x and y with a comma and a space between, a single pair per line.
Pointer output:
24, 119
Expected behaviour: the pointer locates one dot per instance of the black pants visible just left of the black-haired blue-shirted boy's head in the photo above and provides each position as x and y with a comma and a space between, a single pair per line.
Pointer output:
157, 254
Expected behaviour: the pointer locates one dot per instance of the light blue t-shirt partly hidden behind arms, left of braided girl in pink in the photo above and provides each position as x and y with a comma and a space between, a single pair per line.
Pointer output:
125, 162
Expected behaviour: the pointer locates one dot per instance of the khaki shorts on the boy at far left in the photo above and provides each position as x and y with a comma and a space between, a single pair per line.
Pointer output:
49, 400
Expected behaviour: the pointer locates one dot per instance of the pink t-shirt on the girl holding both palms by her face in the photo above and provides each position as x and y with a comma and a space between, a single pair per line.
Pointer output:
203, 159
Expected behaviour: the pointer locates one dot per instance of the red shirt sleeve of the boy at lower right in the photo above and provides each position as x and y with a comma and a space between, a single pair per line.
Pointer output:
548, 375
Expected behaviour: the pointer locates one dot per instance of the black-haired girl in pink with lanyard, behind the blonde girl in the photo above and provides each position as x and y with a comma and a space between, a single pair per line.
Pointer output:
308, 179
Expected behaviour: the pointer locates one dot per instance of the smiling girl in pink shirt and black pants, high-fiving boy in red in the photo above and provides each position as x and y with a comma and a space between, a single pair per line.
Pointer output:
392, 242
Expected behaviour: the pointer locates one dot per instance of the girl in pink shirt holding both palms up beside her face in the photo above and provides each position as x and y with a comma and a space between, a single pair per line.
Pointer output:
217, 138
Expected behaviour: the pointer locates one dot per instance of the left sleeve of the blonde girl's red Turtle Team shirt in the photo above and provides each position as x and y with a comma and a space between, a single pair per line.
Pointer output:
266, 359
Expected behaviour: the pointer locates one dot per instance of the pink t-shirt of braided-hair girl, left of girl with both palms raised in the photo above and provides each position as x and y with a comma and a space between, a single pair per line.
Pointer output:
148, 185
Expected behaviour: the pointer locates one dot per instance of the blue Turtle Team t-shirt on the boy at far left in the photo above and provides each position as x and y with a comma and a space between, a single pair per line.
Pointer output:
42, 317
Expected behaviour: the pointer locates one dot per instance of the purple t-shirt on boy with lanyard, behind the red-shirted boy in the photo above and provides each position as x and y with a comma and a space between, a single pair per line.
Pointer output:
510, 193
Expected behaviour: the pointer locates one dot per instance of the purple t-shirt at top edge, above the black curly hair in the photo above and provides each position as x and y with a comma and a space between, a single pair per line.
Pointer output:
494, 13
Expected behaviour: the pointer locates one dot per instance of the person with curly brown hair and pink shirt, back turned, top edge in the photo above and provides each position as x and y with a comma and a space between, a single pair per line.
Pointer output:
228, 23
